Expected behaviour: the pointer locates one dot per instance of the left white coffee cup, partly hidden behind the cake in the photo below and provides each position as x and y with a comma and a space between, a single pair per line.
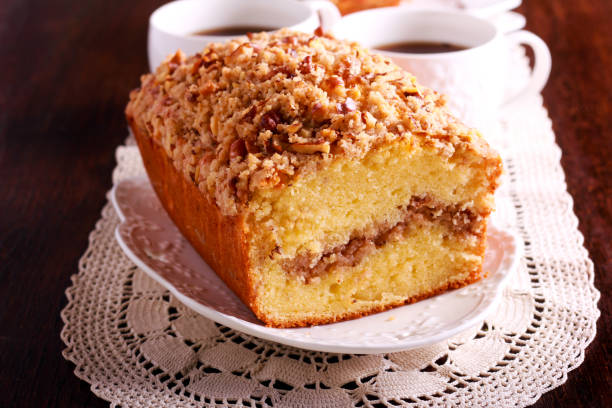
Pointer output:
171, 27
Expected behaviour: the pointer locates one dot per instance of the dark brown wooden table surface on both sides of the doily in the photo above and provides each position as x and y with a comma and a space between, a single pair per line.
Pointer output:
65, 71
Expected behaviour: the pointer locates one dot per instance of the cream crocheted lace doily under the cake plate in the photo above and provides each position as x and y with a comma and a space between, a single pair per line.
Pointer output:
138, 346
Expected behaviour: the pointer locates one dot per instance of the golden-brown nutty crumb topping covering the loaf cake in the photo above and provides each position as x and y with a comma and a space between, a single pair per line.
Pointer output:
256, 111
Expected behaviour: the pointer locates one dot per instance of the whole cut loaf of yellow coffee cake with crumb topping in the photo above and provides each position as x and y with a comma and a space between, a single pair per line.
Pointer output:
318, 180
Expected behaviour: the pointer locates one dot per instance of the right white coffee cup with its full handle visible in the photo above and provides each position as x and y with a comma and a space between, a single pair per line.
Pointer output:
476, 78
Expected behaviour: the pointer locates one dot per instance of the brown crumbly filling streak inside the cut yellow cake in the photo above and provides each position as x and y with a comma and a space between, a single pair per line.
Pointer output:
420, 210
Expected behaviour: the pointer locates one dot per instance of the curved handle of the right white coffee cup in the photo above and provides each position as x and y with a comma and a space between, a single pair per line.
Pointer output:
541, 68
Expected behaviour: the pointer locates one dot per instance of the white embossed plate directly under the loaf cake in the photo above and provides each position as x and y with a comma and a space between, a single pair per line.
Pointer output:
150, 239
